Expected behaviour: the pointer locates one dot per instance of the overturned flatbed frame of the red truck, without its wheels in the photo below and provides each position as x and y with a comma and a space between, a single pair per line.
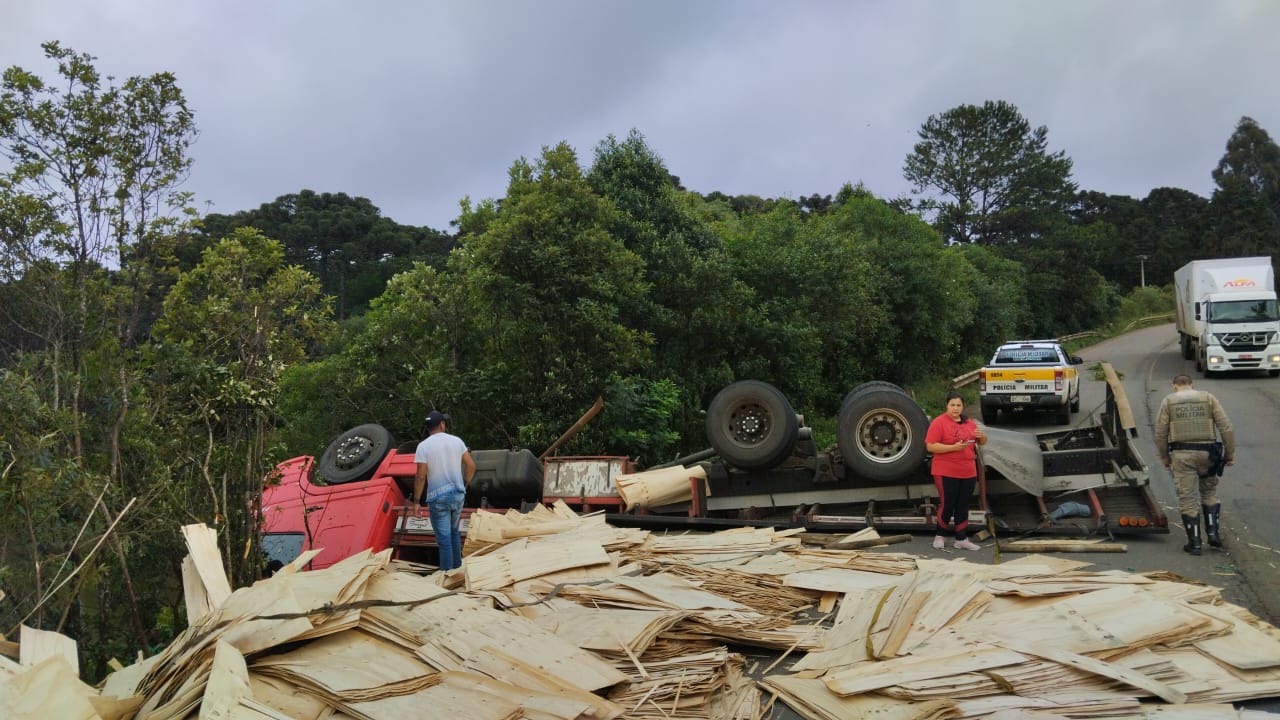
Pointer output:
1076, 482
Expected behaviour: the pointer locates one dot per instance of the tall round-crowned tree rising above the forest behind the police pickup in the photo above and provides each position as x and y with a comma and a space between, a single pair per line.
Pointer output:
990, 176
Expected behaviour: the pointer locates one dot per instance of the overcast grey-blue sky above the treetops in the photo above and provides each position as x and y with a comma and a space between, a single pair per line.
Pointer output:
418, 104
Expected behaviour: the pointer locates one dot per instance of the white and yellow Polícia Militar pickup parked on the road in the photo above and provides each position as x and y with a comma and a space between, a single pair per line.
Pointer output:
1031, 375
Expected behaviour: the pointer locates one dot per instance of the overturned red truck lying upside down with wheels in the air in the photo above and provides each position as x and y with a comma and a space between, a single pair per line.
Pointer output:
764, 468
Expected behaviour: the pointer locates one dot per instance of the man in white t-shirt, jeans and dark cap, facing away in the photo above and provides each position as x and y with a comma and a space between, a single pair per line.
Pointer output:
445, 471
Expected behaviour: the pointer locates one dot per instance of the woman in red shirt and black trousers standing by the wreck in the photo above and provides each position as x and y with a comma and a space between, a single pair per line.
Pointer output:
950, 439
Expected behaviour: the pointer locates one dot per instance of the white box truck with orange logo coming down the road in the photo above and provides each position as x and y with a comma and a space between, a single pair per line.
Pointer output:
1228, 318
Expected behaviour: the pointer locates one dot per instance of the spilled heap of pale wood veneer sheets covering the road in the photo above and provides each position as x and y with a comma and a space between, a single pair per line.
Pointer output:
556, 616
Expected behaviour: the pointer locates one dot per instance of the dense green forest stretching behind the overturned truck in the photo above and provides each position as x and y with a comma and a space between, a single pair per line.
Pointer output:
157, 363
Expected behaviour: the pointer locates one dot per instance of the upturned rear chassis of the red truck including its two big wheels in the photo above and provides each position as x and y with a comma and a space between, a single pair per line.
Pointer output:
1085, 481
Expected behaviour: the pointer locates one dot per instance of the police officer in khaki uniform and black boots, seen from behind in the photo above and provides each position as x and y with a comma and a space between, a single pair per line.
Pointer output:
1187, 431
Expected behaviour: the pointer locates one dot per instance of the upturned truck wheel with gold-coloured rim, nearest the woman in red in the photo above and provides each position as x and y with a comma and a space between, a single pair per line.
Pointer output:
881, 434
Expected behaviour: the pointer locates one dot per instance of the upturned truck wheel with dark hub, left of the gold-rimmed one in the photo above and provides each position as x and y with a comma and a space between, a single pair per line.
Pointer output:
752, 426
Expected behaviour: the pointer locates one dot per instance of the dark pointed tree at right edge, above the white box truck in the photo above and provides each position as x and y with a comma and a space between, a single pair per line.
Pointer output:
1247, 199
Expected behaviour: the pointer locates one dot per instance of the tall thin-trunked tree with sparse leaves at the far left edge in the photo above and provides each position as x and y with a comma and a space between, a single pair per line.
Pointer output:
89, 209
